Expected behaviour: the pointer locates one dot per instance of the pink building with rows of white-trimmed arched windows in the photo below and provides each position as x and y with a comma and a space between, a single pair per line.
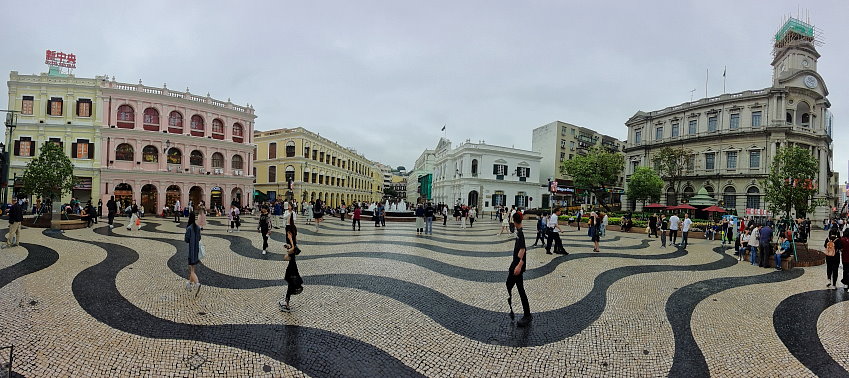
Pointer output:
166, 145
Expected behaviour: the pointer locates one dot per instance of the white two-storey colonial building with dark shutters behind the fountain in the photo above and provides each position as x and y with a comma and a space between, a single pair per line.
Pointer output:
486, 176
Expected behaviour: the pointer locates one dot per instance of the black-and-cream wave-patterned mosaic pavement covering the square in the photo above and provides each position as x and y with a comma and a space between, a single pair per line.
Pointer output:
385, 302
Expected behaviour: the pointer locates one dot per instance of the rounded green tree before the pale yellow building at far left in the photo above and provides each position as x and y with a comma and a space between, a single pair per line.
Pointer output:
50, 174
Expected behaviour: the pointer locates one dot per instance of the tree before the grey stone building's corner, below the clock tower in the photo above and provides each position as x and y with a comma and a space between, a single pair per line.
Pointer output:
791, 182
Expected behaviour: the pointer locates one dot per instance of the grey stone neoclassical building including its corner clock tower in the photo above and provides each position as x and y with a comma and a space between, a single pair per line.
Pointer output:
733, 137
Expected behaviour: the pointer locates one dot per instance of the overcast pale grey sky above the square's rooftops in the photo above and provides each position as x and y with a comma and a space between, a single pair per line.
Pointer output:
384, 76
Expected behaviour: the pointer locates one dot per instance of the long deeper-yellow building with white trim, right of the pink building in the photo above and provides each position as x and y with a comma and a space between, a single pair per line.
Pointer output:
316, 167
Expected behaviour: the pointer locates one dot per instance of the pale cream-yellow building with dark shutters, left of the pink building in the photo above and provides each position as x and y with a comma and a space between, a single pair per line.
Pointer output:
61, 109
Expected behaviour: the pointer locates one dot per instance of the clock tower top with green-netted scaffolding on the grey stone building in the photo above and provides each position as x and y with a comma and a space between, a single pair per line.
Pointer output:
794, 50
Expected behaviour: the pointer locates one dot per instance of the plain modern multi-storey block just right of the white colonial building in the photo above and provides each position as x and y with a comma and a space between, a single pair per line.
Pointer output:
560, 141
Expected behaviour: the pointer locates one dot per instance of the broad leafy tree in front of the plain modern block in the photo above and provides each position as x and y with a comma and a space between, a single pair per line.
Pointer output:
595, 171
